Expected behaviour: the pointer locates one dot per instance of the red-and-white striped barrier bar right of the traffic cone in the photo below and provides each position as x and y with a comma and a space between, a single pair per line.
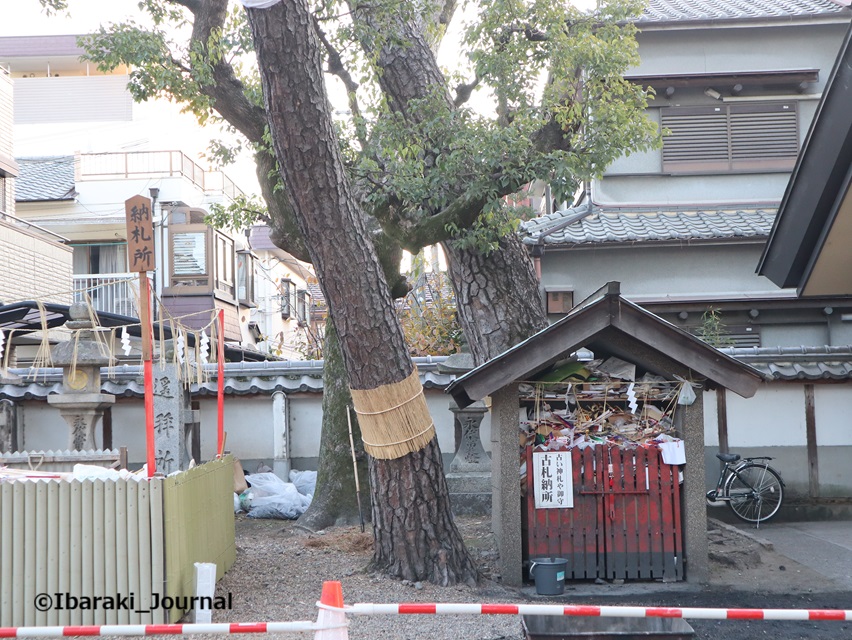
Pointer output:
599, 611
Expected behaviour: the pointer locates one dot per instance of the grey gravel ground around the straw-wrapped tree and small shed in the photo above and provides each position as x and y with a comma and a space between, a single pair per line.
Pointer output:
279, 573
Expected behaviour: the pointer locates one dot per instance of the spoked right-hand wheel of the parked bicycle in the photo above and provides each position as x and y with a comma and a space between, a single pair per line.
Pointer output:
755, 491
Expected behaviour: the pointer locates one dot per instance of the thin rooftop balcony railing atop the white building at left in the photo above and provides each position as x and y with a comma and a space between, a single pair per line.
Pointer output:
152, 165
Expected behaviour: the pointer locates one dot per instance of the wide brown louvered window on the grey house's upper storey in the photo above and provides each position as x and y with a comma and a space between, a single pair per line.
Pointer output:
730, 137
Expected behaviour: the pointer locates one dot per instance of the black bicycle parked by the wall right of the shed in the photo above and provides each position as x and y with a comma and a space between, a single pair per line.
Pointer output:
753, 490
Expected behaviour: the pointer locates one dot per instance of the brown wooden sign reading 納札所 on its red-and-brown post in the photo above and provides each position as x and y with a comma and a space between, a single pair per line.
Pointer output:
140, 254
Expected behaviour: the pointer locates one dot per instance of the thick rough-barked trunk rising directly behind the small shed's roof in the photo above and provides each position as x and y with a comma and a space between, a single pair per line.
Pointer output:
497, 296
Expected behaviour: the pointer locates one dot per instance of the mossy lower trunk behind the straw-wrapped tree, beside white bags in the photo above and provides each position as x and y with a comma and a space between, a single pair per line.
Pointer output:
336, 500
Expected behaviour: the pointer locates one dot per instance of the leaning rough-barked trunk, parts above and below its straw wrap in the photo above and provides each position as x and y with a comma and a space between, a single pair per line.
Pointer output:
359, 301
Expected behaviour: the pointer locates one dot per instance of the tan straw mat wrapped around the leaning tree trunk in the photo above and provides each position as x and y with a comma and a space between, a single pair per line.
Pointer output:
394, 418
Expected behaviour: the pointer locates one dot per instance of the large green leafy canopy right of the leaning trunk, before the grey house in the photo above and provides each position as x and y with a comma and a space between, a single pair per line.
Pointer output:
549, 65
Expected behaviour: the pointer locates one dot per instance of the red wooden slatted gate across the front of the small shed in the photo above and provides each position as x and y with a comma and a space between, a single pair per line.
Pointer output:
626, 519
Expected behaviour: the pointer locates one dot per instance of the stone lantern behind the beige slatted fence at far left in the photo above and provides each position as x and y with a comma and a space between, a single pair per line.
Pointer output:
81, 402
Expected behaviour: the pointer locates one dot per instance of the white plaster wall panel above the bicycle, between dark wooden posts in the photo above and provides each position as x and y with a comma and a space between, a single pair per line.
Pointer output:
774, 417
